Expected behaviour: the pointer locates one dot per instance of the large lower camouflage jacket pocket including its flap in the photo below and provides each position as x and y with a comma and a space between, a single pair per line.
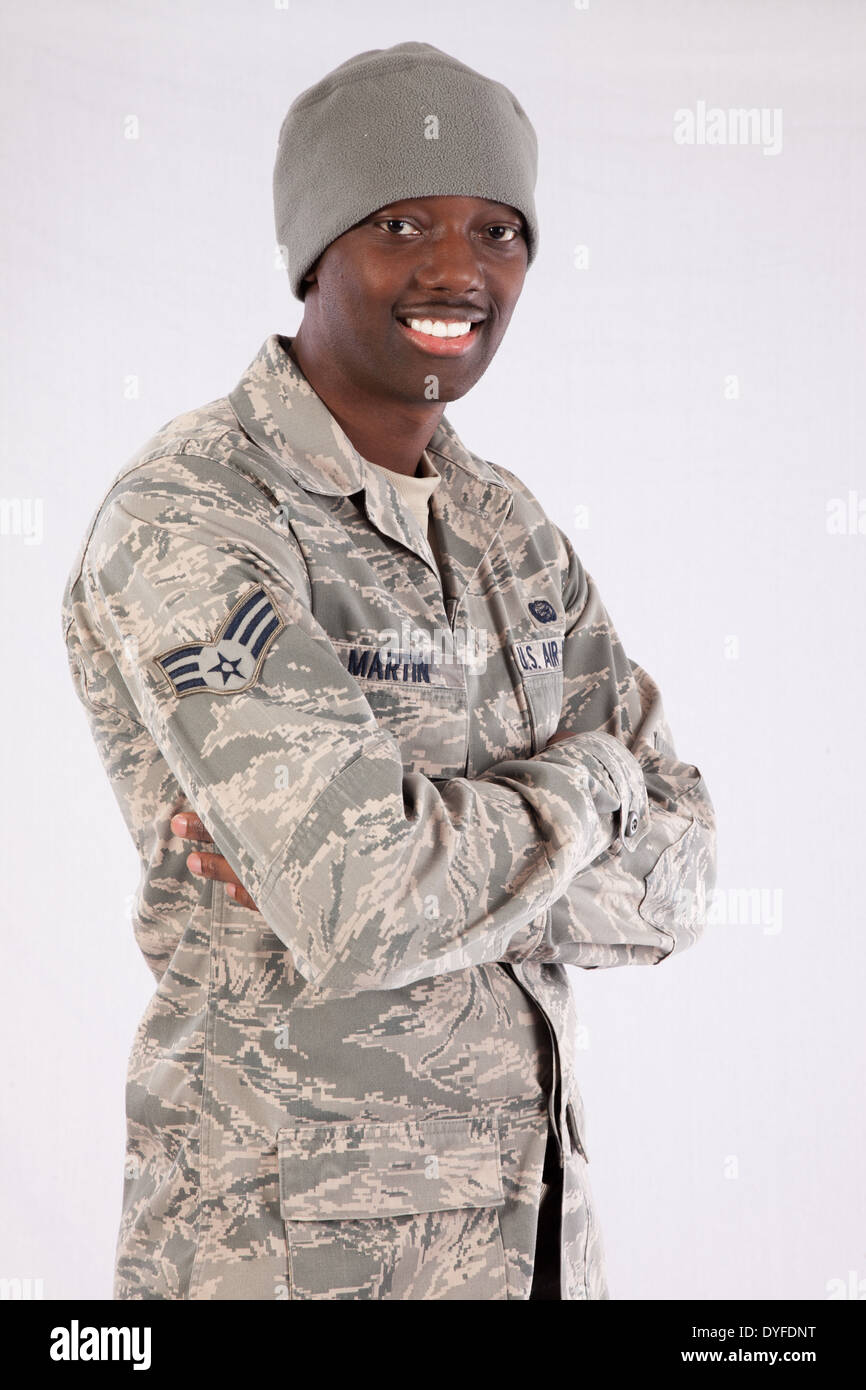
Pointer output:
394, 1211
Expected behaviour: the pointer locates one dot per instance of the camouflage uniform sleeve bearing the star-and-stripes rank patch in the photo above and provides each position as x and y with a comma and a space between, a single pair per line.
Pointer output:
372, 878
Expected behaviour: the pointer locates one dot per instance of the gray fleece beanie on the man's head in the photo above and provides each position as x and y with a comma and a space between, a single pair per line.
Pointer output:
389, 124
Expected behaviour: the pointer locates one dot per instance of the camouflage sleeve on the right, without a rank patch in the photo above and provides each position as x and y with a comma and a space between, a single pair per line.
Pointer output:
647, 894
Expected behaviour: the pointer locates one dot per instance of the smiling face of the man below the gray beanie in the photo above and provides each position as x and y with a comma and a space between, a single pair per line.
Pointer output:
422, 288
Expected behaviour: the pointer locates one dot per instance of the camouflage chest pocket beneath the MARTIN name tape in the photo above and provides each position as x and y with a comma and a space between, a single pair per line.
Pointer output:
423, 703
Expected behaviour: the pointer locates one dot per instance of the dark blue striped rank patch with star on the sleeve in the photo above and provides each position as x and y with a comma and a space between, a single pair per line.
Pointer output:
230, 662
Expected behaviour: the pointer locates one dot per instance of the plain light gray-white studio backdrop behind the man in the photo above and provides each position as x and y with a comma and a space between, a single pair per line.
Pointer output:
725, 1090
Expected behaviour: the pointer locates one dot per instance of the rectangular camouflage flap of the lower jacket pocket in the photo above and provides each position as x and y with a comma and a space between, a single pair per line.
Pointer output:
358, 1170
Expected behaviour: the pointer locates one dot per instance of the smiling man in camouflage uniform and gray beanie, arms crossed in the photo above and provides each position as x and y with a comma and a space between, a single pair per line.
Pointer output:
420, 772
